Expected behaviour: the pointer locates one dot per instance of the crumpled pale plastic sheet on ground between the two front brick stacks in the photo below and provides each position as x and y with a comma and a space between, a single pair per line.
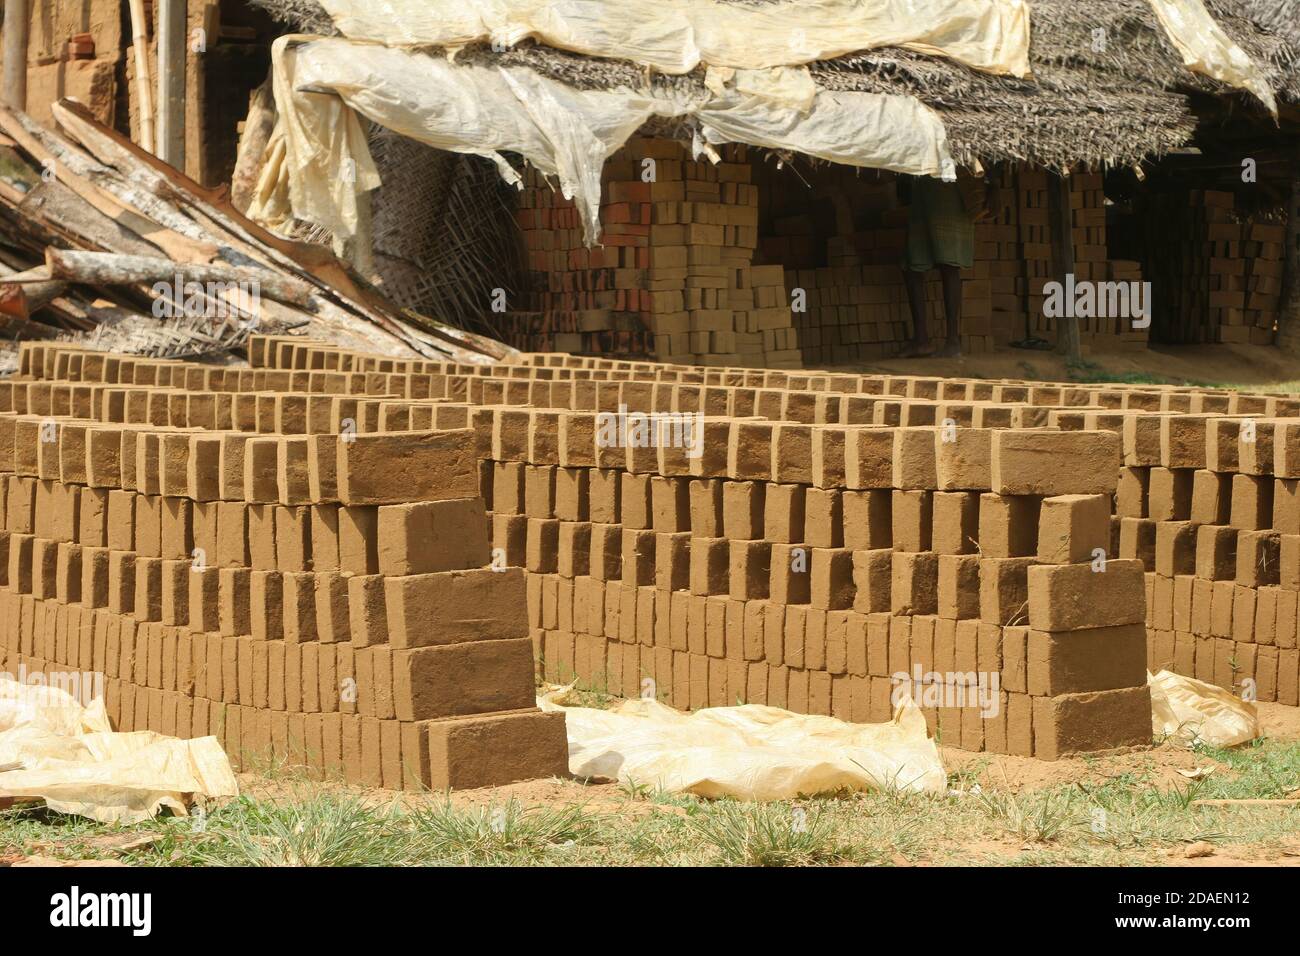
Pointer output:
748, 752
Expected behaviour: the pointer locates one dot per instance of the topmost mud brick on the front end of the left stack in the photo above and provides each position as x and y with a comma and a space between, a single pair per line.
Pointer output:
392, 469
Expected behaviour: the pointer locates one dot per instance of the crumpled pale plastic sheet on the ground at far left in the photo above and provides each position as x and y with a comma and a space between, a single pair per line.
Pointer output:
72, 759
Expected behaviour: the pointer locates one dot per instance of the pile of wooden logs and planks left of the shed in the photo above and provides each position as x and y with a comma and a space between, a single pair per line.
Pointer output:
105, 245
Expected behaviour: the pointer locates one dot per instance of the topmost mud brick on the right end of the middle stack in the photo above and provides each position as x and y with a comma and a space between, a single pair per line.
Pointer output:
1051, 464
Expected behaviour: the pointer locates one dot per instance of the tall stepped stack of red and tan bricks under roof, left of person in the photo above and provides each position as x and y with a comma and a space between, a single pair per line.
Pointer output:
673, 275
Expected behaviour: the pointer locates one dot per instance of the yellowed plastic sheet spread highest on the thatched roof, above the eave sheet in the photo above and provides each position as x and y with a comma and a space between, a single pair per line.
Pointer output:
678, 36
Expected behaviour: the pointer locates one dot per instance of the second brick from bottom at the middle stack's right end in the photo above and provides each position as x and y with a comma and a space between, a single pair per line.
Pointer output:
1091, 660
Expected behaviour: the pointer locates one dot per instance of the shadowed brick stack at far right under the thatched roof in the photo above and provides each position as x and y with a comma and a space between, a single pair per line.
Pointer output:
1223, 275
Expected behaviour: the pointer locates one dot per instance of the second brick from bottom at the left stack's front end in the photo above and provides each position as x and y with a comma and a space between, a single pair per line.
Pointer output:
458, 680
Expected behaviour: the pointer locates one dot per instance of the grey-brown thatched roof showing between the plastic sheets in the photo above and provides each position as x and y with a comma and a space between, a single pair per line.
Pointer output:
1112, 103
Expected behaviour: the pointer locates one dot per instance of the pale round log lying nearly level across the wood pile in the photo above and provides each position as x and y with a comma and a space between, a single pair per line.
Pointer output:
111, 269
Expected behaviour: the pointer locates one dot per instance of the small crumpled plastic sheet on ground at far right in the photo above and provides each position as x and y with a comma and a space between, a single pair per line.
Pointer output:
1193, 712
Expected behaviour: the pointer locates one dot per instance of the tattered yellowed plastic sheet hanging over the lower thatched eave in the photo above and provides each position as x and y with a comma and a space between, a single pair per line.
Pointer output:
564, 132
